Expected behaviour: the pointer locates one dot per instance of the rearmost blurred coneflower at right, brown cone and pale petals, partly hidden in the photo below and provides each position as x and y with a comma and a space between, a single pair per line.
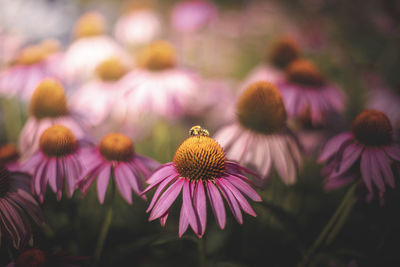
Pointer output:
282, 52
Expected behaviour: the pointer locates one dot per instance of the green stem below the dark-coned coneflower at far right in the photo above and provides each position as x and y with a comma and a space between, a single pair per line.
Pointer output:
334, 224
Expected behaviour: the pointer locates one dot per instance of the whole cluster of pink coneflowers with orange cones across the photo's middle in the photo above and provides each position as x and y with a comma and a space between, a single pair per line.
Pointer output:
74, 142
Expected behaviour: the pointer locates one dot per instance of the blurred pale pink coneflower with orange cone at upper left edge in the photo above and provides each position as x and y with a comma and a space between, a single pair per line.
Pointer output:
33, 64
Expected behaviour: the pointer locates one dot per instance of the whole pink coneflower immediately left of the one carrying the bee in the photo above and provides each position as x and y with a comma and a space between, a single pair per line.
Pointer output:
115, 157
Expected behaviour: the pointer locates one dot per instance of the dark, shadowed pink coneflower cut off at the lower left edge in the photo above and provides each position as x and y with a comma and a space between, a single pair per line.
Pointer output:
15, 203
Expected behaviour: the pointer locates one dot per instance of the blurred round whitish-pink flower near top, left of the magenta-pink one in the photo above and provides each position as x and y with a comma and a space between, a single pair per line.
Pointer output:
137, 27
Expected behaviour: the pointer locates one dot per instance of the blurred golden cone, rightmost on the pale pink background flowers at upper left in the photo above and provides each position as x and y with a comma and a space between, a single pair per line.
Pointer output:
159, 55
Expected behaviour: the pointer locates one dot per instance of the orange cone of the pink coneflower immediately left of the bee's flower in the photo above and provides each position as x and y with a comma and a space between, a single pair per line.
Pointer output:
116, 147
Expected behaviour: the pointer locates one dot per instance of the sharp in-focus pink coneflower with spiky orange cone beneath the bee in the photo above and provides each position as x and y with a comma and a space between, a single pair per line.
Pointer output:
200, 168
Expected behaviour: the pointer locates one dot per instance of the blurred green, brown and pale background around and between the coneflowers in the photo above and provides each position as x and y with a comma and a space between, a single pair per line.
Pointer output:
356, 44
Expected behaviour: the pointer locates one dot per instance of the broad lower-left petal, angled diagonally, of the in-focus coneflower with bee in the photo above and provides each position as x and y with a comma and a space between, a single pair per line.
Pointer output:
166, 199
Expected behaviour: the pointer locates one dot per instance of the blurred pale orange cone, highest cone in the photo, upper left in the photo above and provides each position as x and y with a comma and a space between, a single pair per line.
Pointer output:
90, 24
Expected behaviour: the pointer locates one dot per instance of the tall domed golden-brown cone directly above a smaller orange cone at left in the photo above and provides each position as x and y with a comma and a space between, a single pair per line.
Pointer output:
48, 100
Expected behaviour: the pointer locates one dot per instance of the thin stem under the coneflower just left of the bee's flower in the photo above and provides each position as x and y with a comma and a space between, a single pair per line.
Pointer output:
106, 225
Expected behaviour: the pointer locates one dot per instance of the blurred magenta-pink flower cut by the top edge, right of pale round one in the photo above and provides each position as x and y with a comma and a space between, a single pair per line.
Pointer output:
190, 16
